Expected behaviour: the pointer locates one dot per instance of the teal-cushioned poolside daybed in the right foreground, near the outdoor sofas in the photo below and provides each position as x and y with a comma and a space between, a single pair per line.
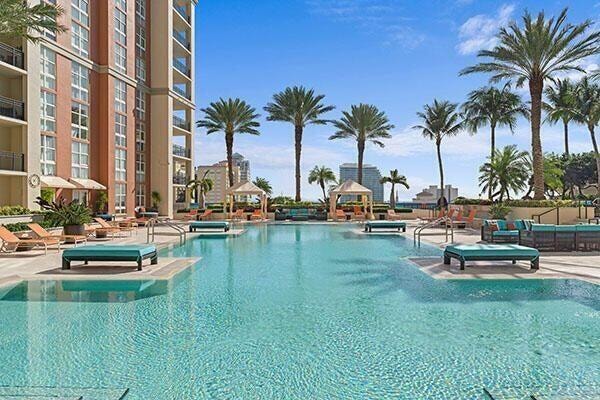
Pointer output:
491, 252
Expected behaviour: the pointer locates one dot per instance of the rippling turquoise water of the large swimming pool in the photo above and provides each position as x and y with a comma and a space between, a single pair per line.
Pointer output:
305, 312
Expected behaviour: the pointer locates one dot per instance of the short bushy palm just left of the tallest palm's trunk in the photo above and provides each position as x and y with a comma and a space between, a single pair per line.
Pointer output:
508, 170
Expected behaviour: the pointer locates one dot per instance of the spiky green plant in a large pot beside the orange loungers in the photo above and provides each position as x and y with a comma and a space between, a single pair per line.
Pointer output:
71, 216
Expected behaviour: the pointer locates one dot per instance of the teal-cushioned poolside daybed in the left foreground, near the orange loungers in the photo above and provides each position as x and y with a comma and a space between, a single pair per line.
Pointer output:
133, 253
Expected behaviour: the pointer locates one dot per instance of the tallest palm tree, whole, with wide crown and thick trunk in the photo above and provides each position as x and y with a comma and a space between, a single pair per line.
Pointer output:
532, 54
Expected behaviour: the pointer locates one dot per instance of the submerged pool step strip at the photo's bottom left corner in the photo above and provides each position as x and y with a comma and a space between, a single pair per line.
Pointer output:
61, 393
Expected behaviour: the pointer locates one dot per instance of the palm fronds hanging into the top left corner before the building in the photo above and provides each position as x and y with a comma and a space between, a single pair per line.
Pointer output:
20, 20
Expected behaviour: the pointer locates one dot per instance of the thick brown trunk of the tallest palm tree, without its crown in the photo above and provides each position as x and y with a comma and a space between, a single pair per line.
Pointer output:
536, 87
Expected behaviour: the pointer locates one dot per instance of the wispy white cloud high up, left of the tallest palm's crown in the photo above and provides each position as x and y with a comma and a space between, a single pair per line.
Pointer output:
479, 32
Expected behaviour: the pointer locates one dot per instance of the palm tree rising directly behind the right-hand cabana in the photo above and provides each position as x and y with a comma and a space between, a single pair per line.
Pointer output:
363, 123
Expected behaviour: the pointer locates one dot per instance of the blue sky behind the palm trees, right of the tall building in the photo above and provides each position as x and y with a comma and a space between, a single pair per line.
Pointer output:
395, 54
